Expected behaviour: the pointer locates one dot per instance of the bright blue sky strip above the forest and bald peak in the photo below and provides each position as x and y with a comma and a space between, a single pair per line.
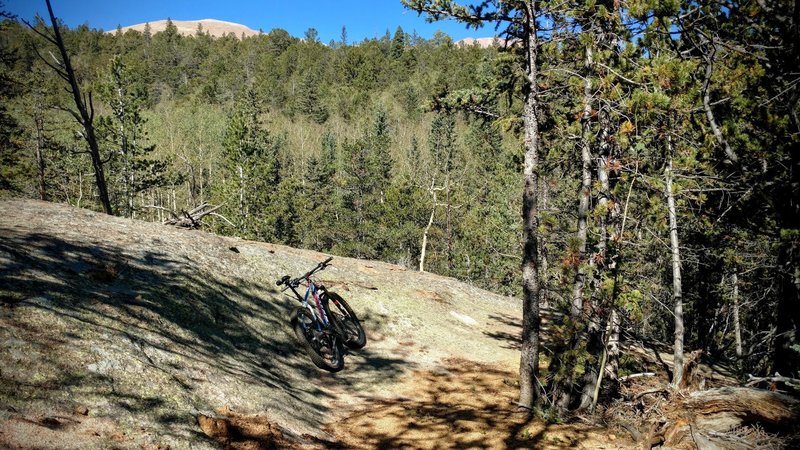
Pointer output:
363, 18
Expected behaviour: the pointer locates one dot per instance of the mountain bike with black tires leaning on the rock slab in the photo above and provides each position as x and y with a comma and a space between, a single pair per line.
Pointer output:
324, 323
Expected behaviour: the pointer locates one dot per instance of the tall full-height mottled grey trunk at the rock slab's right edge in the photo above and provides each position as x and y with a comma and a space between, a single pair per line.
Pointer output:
531, 280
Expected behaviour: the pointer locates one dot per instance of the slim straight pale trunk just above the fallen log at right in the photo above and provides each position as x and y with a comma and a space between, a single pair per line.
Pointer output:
677, 289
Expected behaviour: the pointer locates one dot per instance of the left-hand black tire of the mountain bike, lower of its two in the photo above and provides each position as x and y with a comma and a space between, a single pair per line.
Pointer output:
315, 342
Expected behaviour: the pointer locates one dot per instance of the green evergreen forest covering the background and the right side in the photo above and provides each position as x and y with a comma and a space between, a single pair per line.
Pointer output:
631, 167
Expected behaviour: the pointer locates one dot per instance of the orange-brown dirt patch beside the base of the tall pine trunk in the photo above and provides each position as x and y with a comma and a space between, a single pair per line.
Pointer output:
461, 405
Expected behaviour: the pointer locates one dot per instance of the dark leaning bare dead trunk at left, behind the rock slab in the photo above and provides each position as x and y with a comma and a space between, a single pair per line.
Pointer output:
83, 116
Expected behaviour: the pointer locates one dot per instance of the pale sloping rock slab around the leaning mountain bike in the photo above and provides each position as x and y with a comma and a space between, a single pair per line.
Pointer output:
123, 333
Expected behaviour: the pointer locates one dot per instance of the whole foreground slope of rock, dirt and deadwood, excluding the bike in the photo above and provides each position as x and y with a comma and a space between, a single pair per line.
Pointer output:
117, 333
